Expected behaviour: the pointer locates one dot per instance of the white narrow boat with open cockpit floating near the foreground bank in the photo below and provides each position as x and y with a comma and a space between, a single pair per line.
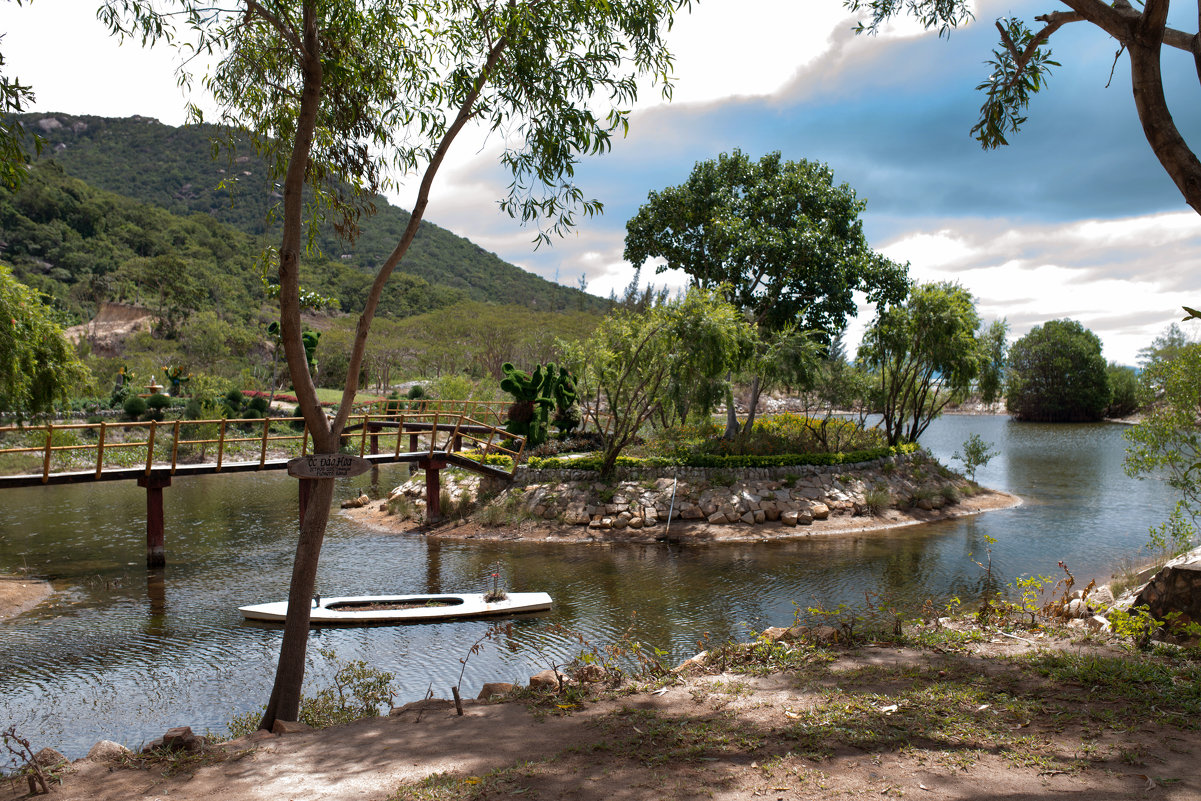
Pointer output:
366, 611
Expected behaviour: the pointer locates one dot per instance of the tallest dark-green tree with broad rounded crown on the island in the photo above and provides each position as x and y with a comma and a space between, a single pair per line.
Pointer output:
781, 241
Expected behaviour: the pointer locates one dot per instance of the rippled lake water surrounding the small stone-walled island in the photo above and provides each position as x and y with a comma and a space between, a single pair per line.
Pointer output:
123, 654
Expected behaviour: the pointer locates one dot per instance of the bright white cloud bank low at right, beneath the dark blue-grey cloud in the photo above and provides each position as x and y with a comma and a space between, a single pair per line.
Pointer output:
1124, 279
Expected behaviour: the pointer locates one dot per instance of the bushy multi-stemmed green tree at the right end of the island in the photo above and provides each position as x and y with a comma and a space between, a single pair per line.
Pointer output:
925, 354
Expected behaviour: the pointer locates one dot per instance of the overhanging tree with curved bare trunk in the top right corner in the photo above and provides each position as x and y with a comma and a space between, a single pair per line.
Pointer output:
1023, 64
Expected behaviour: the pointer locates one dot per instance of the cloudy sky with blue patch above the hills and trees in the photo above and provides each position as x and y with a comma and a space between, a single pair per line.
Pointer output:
1075, 219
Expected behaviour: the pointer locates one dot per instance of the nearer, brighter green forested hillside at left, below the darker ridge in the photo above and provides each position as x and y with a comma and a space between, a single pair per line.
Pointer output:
81, 246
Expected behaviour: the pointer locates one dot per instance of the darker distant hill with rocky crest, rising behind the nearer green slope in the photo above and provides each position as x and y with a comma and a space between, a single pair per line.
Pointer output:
175, 169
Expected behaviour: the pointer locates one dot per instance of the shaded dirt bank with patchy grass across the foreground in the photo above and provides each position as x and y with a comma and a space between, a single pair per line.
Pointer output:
985, 721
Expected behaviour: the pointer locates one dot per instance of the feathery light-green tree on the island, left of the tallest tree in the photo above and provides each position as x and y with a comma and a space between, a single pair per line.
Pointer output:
625, 370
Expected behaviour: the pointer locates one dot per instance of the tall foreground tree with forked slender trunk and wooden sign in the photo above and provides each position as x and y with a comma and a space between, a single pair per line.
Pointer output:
348, 98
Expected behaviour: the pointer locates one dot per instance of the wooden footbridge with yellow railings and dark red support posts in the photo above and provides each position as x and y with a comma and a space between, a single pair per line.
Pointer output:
153, 453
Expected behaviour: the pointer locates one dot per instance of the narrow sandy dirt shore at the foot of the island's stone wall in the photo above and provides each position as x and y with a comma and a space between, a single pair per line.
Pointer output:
683, 531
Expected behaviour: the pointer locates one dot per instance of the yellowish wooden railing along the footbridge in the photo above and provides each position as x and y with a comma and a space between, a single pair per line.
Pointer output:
159, 445
